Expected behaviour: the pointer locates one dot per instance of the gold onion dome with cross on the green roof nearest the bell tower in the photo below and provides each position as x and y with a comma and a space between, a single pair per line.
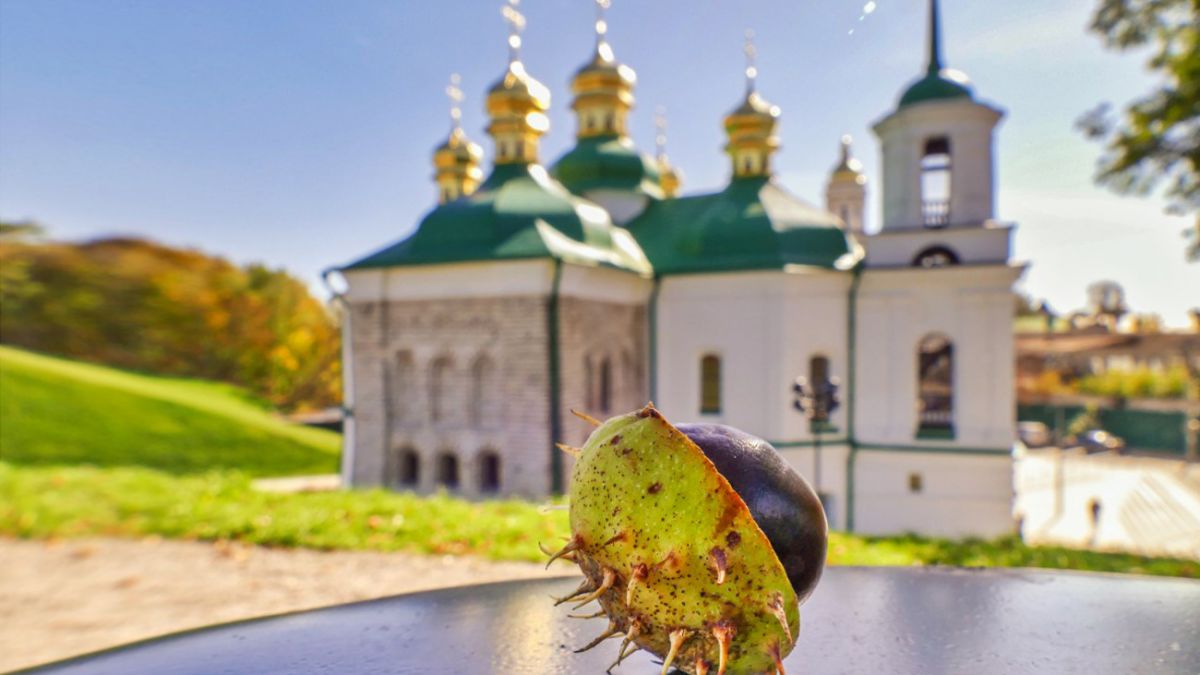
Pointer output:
752, 127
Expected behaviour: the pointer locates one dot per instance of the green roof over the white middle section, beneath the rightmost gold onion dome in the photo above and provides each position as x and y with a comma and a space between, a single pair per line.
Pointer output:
753, 224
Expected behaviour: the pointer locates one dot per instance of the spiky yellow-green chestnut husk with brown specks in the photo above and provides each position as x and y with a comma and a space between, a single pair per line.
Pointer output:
673, 554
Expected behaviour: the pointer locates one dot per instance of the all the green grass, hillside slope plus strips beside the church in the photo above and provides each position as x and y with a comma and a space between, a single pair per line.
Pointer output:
89, 451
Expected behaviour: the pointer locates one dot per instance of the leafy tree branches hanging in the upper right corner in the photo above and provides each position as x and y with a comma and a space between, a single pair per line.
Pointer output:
1157, 140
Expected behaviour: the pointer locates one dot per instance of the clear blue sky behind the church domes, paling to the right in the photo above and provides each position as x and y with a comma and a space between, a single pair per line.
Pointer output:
299, 133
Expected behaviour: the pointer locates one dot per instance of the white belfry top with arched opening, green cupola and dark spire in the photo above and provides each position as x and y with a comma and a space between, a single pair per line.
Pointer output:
939, 170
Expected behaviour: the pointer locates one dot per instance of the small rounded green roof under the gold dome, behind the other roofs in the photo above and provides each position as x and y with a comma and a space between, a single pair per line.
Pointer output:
608, 163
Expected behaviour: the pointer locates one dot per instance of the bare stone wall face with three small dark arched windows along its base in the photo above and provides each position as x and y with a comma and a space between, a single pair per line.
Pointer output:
452, 379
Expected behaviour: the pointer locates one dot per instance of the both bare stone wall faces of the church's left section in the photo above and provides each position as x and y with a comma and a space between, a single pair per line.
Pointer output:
465, 378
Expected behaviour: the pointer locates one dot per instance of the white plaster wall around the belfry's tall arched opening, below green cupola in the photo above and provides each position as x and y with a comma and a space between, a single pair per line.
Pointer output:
903, 135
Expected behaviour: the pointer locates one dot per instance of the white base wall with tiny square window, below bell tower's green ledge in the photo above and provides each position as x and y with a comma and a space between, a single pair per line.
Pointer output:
962, 495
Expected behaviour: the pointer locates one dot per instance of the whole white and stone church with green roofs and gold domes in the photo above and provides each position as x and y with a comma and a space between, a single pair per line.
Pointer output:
593, 283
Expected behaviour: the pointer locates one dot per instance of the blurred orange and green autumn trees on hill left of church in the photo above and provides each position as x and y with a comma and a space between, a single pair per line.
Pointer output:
142, 306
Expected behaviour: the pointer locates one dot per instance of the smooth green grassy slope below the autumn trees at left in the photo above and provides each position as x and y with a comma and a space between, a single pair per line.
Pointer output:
64, 413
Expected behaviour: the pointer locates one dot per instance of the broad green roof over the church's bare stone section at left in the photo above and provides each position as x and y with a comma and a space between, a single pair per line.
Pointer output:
518, 213
